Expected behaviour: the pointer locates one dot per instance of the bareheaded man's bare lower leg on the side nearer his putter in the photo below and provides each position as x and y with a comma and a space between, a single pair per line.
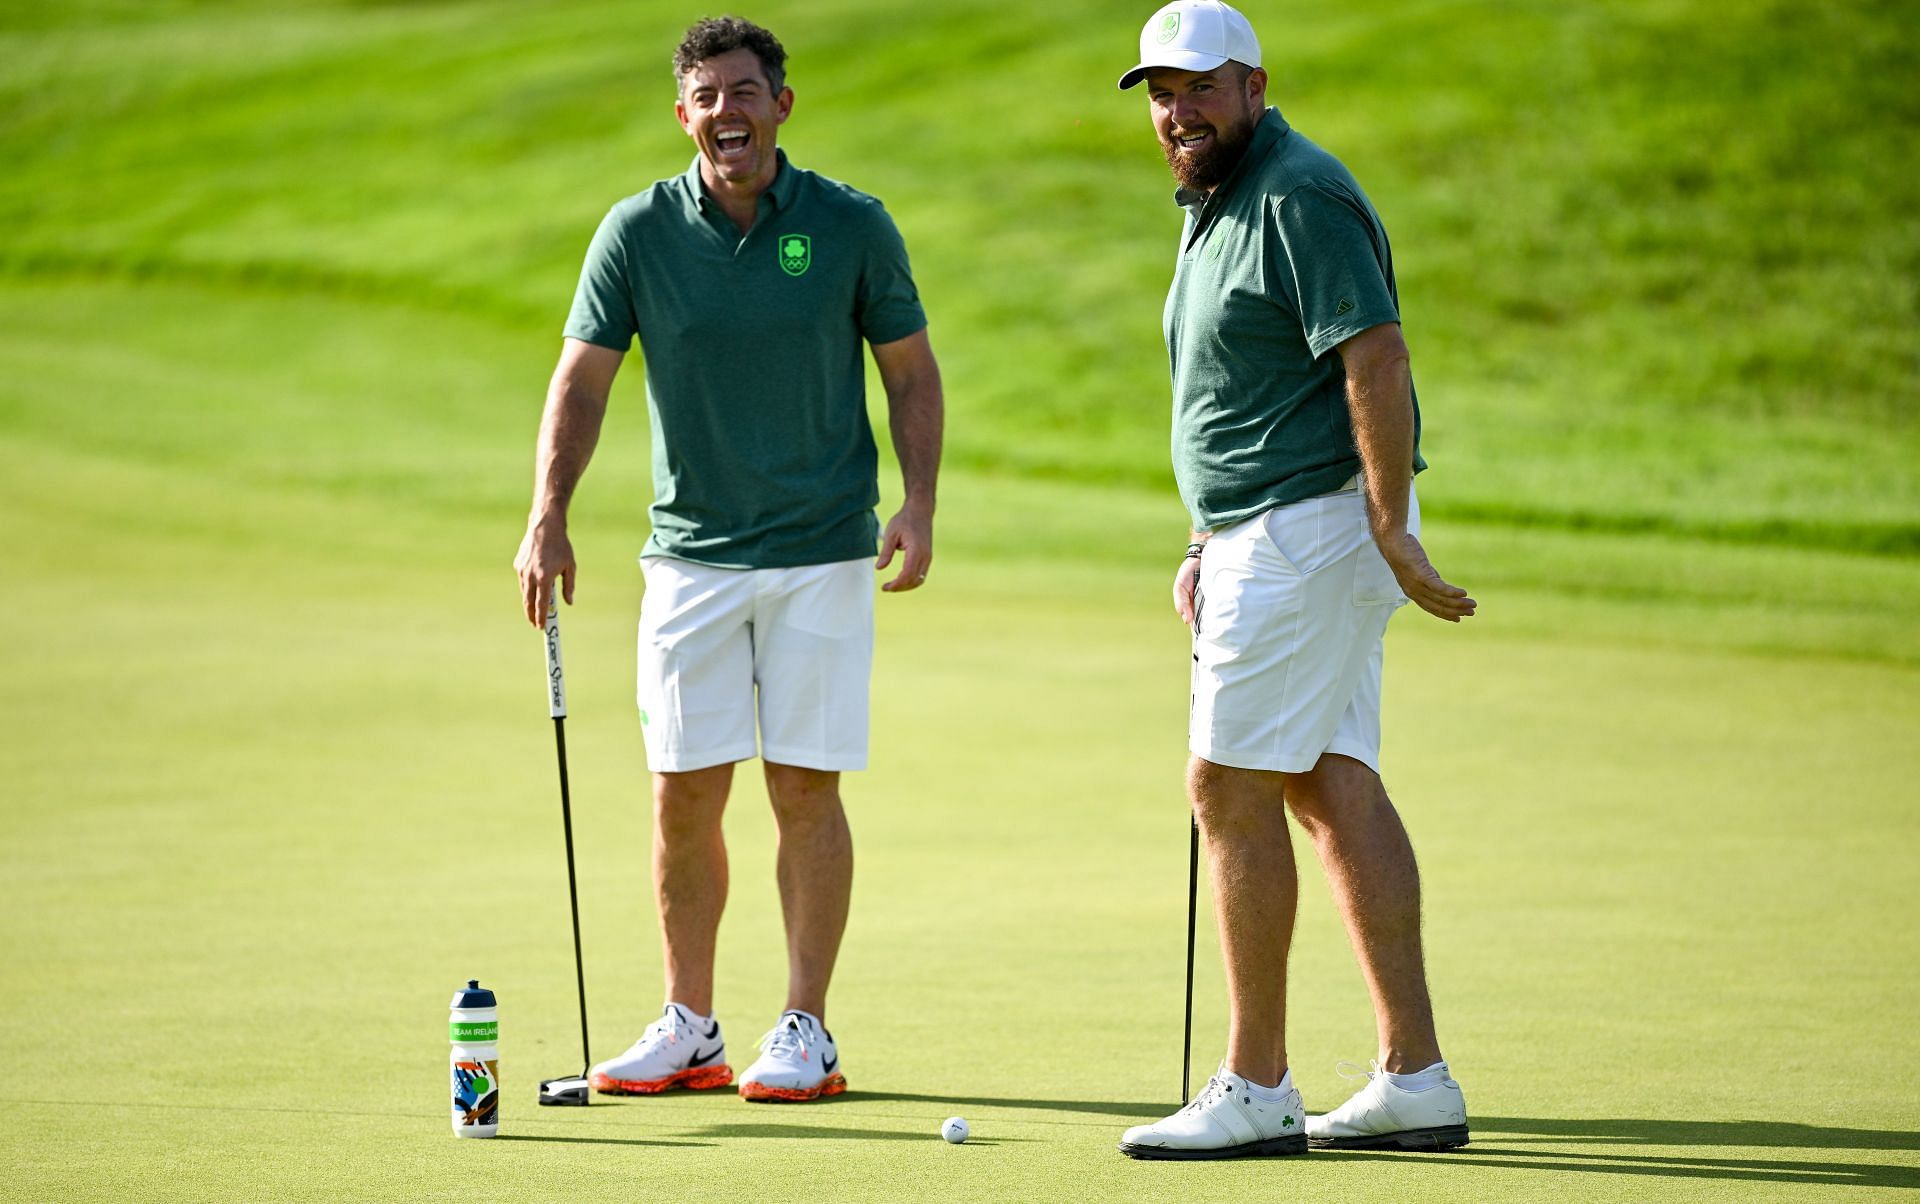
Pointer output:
690, 879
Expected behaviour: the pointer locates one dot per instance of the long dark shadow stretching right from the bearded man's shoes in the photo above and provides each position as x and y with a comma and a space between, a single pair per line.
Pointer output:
1495, 1136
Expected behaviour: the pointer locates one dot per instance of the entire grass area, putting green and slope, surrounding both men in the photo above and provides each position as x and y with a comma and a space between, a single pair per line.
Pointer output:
277, 301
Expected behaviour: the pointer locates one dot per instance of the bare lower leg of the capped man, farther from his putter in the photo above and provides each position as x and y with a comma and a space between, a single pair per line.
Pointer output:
1376, 882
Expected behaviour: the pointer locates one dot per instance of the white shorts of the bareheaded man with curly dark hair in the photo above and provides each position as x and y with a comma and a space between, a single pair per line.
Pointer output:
725, 646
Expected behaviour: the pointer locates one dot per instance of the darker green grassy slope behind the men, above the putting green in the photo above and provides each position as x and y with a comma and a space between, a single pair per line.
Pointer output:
1673, 243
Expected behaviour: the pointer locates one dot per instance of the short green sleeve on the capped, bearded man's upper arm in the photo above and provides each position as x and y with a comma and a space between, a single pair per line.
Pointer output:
1333, 266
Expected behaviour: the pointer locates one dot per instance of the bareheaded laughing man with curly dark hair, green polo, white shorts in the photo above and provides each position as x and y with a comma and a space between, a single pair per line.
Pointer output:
752, 287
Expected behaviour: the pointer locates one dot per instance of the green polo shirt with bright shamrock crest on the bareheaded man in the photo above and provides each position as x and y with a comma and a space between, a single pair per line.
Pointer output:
763, 456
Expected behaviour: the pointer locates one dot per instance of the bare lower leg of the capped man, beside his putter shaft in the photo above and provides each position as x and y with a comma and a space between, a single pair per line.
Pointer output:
1251, 859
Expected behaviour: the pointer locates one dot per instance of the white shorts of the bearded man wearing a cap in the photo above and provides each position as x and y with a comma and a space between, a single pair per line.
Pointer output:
1287, 650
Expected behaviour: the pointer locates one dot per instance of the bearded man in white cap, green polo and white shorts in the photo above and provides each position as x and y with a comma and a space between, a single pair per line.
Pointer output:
1295, 445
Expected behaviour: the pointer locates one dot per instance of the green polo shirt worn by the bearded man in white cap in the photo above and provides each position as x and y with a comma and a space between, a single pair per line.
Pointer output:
1280, 266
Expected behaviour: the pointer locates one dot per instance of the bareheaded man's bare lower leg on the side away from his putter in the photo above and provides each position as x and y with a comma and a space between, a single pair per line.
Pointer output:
815, 873
